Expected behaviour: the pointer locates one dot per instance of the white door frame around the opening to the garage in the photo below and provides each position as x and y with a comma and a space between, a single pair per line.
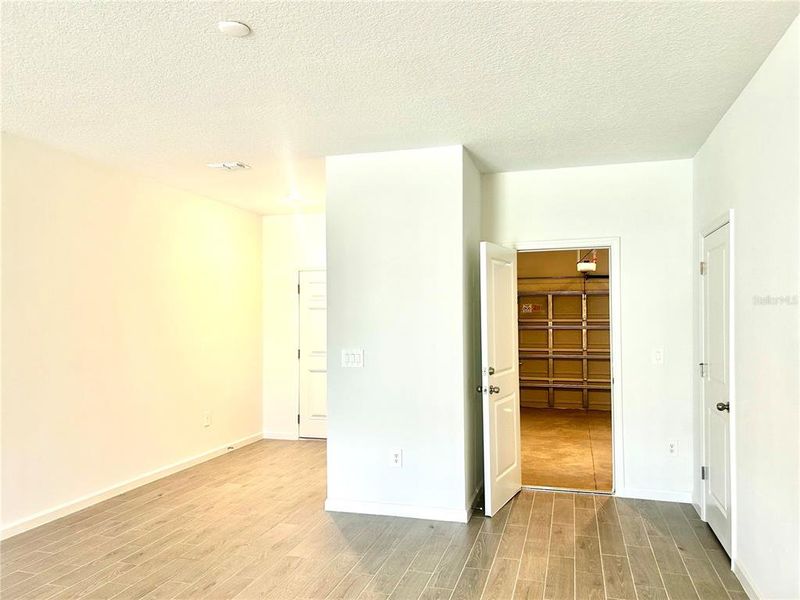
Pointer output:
614, 271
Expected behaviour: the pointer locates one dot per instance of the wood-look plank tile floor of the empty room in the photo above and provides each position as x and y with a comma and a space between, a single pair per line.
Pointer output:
250, 525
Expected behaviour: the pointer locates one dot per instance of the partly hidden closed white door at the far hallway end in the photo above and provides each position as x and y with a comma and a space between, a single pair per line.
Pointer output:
313, 410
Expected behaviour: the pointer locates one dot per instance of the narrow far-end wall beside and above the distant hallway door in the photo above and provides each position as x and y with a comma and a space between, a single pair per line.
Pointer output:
291, 243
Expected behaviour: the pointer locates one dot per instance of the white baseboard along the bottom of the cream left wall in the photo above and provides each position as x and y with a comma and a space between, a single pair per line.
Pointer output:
67, 508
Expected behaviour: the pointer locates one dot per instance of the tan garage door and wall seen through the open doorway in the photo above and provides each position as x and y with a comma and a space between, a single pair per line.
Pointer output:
564, 331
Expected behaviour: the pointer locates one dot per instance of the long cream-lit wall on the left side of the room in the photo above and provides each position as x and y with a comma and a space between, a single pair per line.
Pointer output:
129, 310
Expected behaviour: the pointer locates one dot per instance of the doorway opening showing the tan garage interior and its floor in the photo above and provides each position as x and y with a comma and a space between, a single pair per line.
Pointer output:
565, 374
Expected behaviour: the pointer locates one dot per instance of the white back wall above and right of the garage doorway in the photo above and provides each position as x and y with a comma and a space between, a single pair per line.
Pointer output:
648, 207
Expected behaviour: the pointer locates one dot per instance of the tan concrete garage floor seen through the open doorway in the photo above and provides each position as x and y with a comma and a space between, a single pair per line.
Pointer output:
565, 448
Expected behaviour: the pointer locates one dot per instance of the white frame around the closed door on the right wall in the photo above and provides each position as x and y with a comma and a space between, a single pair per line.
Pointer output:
709, 228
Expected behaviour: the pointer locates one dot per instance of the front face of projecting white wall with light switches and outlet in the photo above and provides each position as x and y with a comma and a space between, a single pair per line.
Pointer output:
395, 258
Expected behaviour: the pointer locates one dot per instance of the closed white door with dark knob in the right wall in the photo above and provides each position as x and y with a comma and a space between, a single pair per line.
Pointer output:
716, 383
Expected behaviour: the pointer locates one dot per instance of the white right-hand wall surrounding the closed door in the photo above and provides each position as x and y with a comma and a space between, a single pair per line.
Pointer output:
751, 163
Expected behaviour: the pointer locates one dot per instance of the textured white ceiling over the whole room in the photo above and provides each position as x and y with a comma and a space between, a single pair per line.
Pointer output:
154, 87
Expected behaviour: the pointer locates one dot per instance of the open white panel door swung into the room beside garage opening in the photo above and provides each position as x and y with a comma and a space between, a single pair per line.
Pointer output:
502, 466
